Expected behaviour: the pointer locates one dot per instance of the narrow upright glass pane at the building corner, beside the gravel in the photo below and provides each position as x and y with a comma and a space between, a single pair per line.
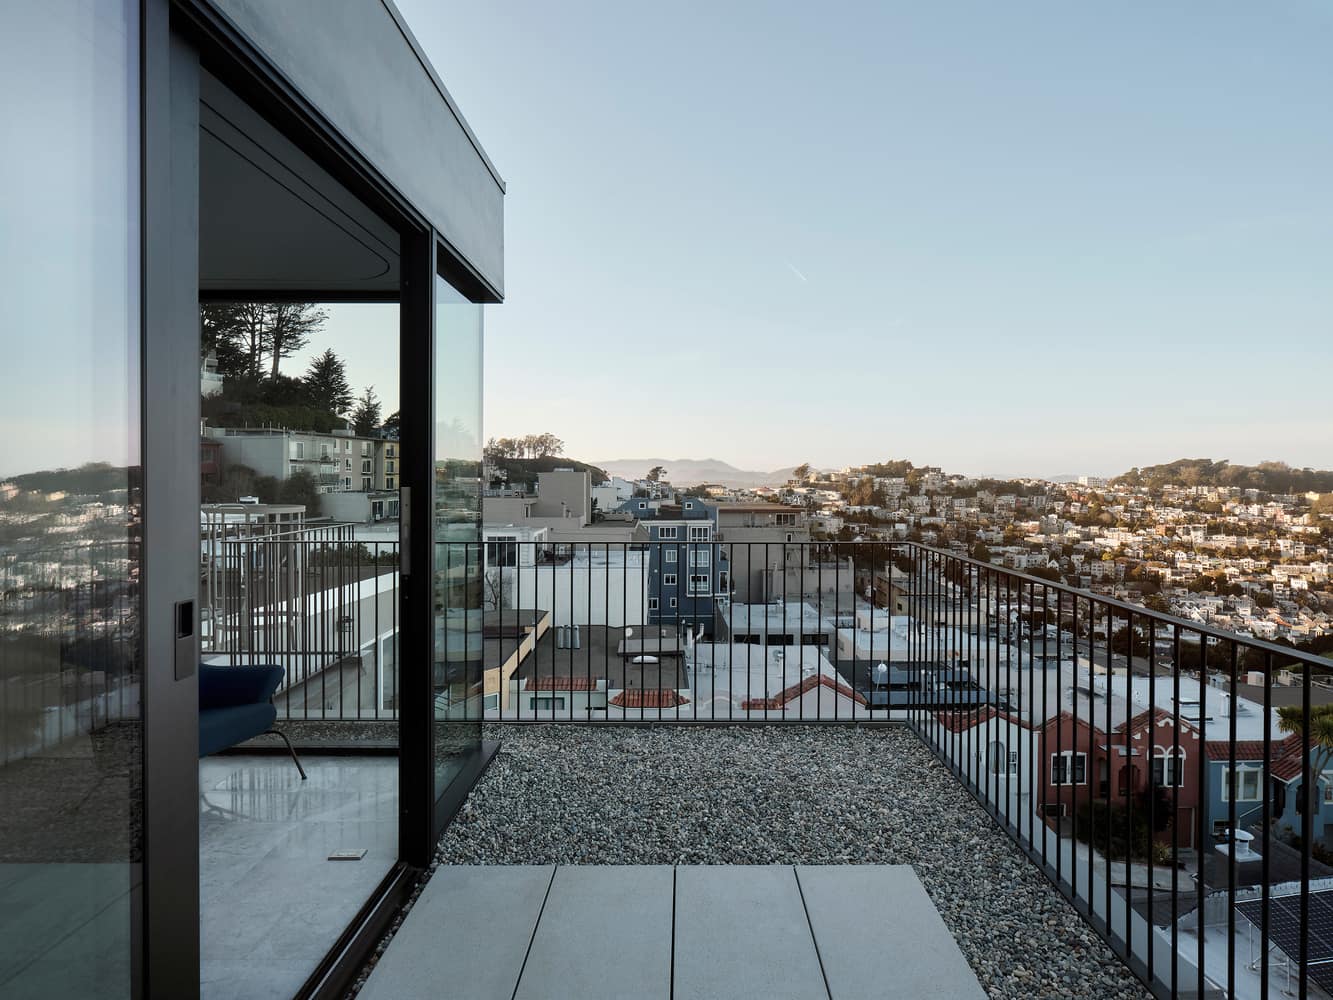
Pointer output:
458, 531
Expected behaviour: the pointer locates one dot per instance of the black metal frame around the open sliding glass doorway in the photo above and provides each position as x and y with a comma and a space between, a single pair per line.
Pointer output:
178, 39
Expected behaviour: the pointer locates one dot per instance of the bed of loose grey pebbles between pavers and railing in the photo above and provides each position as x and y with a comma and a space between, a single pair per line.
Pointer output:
784, 795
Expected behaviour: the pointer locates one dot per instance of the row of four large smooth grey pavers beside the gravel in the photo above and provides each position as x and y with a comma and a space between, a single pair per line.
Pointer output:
662, 933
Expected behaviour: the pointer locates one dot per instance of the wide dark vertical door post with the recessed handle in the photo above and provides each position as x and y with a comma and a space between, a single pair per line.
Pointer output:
169, 953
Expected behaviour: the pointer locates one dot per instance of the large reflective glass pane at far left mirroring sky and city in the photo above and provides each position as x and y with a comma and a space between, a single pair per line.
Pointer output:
70, 505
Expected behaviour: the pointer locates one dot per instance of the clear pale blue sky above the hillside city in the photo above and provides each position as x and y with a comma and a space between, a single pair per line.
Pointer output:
1034, 238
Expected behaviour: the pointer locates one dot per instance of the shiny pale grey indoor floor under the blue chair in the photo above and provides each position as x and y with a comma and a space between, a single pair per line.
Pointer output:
273, 903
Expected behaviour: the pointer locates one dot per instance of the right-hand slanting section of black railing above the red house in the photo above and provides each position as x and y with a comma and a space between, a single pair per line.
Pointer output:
1142, 762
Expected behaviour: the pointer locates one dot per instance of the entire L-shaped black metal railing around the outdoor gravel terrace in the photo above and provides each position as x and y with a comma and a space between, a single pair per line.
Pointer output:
1138, 758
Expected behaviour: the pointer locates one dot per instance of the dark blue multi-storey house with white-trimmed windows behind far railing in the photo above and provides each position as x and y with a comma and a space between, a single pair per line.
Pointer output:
687, 569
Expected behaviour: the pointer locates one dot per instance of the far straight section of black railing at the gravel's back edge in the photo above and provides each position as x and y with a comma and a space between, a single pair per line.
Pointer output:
698, 630
